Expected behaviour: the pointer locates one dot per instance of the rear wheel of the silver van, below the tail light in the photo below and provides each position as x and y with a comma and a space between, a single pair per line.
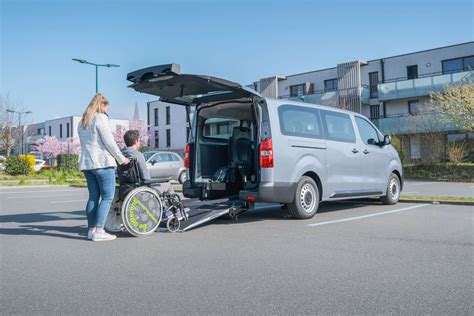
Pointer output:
306, 201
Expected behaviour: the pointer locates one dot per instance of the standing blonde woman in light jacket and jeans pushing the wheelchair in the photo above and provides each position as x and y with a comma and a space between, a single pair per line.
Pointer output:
98, 161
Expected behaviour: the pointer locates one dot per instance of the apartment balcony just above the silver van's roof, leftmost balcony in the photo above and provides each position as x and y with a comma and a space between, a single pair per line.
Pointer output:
332, 98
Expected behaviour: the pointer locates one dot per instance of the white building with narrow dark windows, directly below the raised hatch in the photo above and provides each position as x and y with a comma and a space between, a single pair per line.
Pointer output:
167, 126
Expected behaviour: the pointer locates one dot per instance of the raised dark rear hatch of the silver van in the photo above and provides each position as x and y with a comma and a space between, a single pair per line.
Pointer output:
167, 82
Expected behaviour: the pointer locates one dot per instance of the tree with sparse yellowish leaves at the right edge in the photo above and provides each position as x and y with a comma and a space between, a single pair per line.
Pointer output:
456, 105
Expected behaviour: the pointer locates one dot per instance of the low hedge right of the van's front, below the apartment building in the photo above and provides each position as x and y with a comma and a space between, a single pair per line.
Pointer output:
463, 172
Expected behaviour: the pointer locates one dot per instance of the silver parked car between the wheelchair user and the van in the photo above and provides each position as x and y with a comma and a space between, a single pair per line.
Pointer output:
165, 165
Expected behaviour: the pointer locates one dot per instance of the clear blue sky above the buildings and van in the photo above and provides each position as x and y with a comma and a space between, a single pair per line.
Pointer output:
241, 41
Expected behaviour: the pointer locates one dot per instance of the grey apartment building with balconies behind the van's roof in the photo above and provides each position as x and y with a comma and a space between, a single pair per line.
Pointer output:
392, 91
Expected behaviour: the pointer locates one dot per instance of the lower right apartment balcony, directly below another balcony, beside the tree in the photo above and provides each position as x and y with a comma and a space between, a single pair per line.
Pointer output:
427, 122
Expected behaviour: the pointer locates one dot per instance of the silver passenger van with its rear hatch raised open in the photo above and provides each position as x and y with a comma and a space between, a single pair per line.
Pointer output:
255, 149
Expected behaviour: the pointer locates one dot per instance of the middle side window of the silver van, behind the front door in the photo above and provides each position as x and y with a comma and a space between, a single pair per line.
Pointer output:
338, 126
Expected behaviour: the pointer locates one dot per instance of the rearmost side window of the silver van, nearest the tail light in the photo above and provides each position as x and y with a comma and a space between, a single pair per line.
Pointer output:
300, 121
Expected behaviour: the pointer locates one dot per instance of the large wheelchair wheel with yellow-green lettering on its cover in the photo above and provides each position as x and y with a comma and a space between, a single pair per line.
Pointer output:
141, 211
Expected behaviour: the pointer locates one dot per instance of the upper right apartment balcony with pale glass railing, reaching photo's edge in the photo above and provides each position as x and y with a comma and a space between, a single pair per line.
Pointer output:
419, 87
